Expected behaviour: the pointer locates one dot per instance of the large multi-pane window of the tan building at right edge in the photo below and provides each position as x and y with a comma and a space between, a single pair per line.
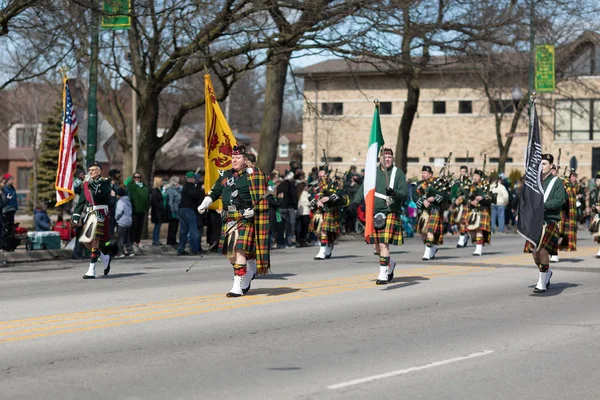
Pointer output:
577, 119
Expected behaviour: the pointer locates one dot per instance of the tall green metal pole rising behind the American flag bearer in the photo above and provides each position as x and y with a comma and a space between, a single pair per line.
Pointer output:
93, 88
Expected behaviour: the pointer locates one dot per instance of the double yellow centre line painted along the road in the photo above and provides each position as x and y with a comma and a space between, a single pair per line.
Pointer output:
51, 325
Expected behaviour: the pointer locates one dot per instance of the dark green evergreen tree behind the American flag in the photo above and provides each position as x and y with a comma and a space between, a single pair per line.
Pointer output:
48, 157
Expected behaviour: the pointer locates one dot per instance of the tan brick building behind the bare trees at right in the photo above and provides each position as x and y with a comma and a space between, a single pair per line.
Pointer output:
454, 114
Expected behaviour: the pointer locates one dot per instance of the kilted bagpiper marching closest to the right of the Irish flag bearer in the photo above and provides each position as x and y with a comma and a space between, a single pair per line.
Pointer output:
430, 204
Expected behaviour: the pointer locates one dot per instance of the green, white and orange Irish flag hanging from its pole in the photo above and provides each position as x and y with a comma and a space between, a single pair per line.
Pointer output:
375, 143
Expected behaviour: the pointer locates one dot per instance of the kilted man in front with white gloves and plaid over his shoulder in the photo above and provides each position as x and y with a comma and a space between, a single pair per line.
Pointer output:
245, 218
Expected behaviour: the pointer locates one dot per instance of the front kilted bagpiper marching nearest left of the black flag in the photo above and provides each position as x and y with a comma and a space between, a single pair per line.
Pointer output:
480, 221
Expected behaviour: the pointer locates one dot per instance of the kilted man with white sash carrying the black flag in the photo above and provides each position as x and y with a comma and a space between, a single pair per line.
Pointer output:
554, 199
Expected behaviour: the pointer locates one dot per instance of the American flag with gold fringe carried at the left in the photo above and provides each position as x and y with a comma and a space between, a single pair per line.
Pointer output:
67, 157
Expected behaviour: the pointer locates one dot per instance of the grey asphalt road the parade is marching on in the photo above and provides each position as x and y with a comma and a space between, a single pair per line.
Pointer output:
457, 327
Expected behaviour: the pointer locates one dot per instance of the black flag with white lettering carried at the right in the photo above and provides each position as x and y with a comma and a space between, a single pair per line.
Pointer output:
531, 199
